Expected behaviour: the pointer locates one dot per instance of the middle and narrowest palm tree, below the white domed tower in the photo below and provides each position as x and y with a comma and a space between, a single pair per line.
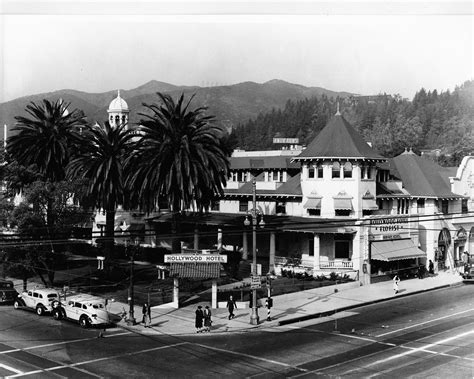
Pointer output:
100, 159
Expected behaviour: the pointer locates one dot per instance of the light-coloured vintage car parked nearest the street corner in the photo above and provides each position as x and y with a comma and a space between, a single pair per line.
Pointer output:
86, 309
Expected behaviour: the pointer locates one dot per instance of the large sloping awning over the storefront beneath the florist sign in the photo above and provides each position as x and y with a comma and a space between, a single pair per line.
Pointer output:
394, 250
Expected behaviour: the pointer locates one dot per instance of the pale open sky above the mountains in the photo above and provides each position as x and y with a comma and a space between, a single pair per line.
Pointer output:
357, 53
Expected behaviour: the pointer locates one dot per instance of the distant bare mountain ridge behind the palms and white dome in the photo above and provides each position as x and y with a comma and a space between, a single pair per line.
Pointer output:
231, 104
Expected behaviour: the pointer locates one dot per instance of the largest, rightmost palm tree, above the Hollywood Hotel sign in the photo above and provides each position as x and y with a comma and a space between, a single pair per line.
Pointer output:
181, 157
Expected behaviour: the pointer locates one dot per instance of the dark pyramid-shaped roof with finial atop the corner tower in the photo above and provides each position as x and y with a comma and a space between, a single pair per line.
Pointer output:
337, 140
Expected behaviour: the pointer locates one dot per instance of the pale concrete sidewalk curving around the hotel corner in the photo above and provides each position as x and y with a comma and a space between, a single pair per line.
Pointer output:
287, 309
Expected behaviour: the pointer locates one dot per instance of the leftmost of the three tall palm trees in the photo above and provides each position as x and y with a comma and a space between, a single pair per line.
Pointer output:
45, 141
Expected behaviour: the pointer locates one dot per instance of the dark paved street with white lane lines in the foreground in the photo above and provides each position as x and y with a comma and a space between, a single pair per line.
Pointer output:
424, 335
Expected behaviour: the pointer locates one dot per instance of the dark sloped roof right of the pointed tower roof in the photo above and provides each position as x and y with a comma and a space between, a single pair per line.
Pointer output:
422, 177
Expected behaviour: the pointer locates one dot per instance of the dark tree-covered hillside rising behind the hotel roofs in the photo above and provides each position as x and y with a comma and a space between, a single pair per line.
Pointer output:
432, 120
